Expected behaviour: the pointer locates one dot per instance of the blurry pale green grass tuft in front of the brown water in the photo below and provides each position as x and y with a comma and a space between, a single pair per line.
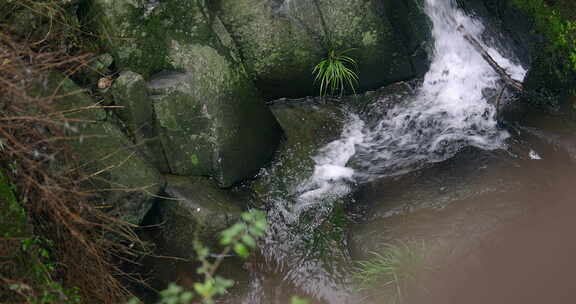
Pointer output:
392, 271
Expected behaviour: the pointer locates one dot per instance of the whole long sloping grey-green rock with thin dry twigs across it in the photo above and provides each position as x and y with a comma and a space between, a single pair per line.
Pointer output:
119, 173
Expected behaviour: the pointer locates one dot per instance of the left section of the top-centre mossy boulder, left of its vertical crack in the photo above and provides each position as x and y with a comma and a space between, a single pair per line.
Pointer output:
276, 50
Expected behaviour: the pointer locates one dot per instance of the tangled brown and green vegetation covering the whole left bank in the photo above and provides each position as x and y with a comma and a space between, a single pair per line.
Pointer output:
67, 254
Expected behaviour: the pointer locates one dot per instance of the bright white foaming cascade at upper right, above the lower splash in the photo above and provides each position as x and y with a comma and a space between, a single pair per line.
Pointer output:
451, 110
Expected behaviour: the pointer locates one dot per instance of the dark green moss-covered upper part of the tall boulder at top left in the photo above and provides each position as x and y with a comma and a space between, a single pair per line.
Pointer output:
145, 37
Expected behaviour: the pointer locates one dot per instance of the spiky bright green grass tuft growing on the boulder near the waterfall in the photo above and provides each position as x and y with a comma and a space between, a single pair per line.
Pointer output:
335, 72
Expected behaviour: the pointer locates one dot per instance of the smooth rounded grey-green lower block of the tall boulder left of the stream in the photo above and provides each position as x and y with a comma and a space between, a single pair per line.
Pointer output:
206, 129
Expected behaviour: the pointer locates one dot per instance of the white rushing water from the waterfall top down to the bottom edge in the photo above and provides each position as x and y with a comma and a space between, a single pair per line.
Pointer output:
450, 110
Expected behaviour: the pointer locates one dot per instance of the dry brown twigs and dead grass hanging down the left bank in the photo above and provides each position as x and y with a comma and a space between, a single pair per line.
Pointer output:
89, 246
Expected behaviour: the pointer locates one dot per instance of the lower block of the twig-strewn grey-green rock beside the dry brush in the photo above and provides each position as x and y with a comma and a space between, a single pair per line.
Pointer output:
127, 181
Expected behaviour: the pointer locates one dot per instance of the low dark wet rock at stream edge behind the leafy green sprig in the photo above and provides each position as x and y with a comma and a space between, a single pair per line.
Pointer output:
194, 209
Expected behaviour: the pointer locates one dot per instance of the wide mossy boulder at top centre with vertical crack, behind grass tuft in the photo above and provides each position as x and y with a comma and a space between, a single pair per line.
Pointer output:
281, 41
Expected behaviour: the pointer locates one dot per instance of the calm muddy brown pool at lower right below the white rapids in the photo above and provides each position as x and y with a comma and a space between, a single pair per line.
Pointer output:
512, 242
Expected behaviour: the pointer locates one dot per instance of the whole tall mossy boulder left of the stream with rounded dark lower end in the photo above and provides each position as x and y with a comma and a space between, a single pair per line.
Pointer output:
210, 118
